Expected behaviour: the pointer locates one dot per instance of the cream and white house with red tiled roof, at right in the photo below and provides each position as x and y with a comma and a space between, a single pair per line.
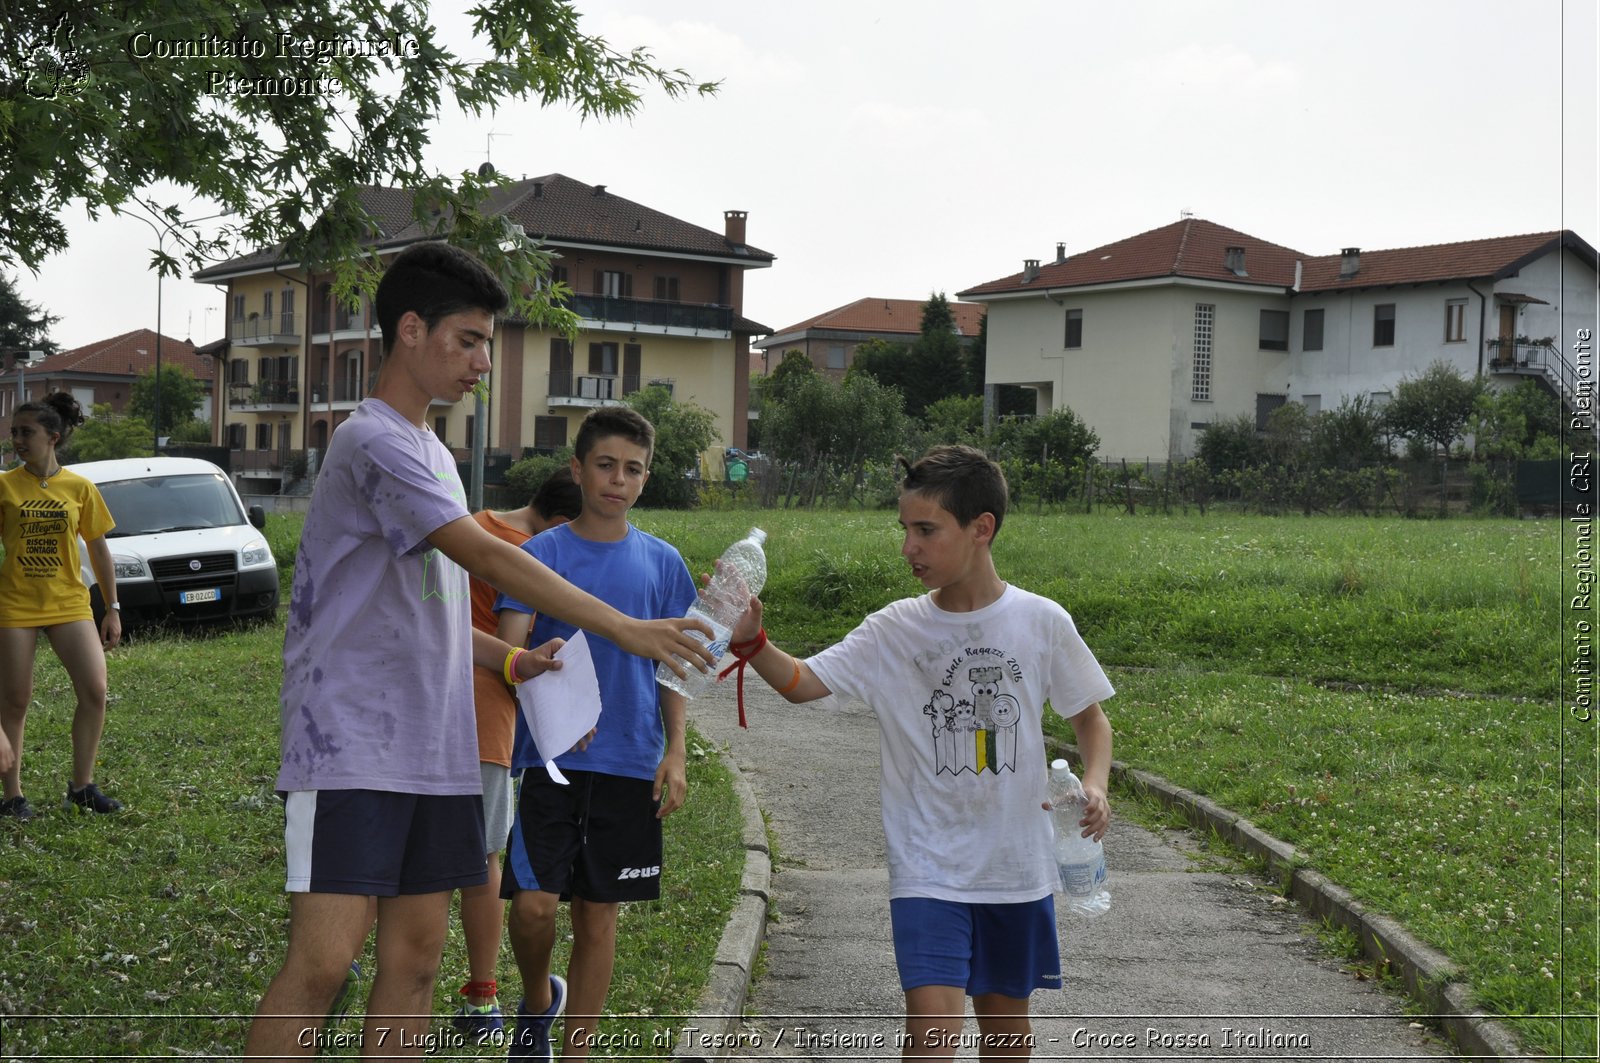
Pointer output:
1156, 337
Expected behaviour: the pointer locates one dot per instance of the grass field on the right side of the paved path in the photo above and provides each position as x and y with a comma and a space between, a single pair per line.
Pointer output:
1380, 694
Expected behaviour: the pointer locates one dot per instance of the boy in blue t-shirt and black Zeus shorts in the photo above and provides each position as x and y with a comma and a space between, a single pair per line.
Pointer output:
596, 841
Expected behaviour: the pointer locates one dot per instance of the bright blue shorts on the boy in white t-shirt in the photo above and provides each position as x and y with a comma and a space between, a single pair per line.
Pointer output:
980, 949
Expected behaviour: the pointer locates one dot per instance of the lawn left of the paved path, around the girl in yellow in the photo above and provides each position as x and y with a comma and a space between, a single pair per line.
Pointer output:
156, 933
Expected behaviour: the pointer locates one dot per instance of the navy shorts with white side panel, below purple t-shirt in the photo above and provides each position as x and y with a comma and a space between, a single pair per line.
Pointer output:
377, 843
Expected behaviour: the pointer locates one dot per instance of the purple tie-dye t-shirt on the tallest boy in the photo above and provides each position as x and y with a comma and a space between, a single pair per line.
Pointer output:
378, 651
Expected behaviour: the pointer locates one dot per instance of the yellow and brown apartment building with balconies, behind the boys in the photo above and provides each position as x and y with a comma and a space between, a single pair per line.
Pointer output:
660, 302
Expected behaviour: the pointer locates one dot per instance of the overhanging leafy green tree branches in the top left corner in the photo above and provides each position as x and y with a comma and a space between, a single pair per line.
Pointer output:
281, 130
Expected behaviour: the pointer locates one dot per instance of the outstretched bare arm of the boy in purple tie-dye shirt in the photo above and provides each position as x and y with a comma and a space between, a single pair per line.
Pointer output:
526, 579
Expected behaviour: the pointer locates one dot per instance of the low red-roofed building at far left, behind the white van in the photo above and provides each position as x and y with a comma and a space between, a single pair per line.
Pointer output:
103, 372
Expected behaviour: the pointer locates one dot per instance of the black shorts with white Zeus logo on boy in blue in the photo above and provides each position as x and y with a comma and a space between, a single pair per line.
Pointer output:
598, 838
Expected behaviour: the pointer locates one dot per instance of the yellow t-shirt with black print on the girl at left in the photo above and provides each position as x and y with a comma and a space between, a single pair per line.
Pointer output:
41, 526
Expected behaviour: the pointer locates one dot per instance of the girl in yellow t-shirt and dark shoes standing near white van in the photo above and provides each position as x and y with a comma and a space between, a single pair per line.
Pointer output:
44, 511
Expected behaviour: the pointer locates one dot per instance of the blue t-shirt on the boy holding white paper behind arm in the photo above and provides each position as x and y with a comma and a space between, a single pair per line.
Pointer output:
646, 579
